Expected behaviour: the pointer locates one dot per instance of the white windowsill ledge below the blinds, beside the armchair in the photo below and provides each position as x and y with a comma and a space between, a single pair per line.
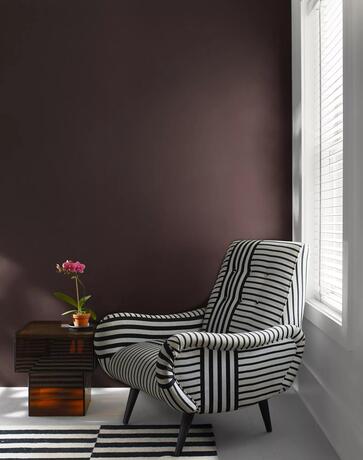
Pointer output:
329, 322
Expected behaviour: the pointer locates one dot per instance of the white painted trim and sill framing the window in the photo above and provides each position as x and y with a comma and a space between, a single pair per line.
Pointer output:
336, 327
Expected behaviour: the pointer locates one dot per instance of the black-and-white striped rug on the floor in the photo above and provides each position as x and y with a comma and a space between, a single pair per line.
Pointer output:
105, 442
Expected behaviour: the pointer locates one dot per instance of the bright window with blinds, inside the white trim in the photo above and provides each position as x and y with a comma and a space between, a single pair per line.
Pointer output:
323, 148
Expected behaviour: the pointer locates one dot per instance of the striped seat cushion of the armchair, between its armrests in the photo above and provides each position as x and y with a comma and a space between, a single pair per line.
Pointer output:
135, 365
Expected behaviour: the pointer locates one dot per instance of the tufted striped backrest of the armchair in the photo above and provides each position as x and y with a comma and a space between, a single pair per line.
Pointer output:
261, 284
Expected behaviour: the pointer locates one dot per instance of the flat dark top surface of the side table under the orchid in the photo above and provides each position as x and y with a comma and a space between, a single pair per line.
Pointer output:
52, 329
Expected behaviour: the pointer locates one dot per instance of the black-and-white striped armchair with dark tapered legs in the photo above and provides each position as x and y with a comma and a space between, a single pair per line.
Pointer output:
243, 348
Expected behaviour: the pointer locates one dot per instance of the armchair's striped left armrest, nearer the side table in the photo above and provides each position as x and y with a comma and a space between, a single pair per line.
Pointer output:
117, 330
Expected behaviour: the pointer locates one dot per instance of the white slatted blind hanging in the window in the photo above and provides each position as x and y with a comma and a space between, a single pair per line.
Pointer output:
328, 153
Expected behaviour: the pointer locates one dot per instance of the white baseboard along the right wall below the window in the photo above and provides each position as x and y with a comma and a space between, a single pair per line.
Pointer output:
343, 432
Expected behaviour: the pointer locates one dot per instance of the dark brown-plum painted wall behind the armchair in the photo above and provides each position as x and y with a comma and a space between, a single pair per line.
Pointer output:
139, 137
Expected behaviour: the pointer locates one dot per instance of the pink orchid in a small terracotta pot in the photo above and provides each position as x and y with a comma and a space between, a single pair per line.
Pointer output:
81, 314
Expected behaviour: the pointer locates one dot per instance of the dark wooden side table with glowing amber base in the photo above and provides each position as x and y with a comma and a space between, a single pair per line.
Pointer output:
59, 362
